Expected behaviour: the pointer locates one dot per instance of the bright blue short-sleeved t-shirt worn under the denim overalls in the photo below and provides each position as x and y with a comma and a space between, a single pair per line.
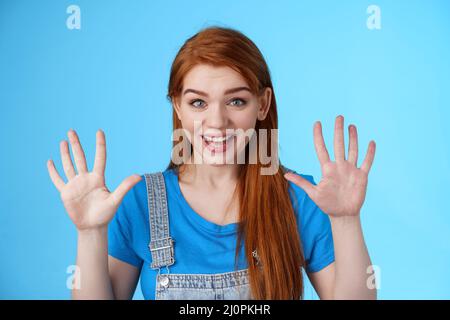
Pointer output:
202, 246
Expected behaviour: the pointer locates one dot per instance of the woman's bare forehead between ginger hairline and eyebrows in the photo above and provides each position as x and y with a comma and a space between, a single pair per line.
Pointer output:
213, 79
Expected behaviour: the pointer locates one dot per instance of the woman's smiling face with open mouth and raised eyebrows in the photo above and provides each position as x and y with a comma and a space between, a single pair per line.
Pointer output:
215, 102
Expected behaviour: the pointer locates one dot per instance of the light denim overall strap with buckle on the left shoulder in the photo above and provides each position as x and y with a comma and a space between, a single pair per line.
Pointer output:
161, 244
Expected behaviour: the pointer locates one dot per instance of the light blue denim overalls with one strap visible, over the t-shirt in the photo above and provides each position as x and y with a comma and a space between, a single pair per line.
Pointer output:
232, 285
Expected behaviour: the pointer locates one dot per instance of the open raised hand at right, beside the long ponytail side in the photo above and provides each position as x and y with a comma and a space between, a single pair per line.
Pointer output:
342, 190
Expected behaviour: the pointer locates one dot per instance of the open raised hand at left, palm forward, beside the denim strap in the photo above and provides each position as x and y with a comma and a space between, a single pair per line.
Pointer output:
88, 201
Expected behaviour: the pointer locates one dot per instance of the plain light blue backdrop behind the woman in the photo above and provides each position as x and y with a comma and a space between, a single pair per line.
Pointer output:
393, 83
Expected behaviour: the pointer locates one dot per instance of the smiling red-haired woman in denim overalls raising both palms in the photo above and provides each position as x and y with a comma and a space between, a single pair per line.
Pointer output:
217, 229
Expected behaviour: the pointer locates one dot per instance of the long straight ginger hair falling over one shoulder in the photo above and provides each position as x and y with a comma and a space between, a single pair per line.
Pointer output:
266, 215
